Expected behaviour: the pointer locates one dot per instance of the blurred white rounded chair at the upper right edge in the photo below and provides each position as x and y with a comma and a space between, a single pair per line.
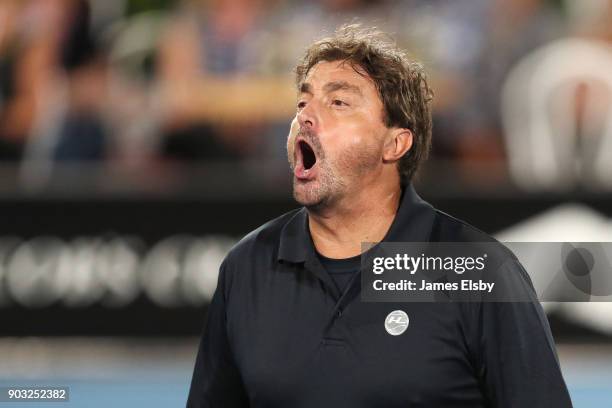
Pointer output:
556, 105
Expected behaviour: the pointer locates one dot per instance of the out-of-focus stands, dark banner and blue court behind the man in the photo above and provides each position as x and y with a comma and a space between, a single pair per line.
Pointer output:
140, 139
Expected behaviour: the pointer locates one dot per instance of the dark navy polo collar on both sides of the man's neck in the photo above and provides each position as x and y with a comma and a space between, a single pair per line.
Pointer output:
413, 222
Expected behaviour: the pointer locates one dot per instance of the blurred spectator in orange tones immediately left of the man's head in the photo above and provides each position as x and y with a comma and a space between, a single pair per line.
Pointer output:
218, 100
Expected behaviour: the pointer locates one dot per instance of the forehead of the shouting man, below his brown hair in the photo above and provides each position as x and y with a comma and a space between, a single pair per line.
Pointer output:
325, 72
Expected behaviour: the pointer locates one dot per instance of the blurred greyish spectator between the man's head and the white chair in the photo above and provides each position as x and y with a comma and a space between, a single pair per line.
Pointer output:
470, 46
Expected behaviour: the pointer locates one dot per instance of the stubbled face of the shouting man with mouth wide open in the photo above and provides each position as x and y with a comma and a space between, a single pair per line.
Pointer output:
336, 141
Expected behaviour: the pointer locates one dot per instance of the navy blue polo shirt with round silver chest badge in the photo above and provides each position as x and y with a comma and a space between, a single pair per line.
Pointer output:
281, 334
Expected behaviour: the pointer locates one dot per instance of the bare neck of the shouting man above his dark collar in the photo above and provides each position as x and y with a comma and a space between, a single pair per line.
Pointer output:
366, 216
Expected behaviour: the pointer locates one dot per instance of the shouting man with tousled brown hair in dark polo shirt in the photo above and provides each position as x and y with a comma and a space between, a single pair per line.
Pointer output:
286, 326
